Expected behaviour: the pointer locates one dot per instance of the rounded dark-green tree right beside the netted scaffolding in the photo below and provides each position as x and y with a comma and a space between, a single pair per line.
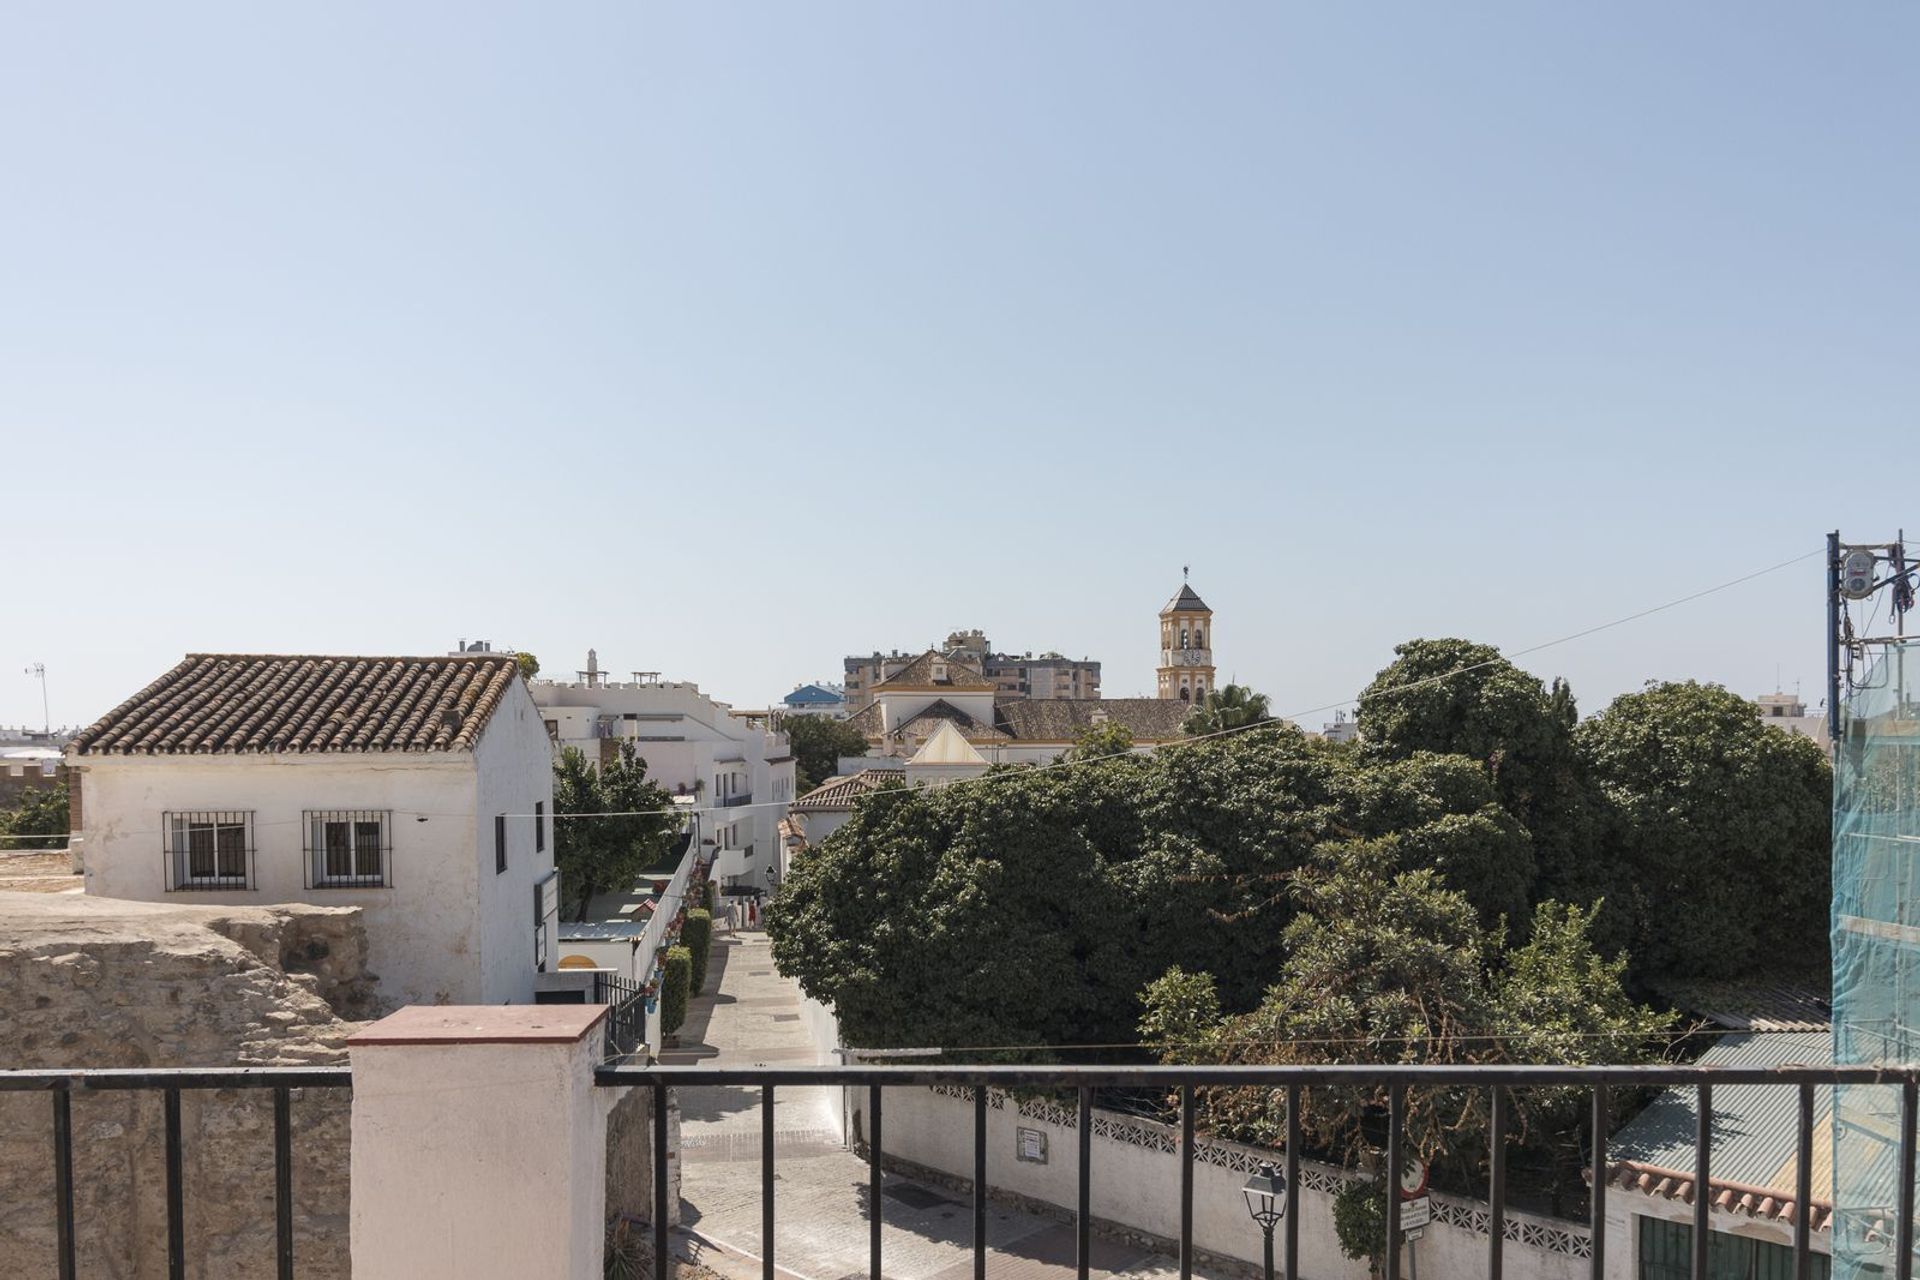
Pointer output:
1716, 830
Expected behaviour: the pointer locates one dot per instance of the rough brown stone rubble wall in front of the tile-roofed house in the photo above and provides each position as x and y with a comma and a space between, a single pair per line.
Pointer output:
103, 984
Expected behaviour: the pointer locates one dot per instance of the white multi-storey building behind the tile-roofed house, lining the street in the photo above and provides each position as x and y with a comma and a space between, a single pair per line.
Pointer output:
738, 770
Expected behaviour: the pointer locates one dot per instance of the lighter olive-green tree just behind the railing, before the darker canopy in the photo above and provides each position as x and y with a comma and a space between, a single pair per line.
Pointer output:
1389, 966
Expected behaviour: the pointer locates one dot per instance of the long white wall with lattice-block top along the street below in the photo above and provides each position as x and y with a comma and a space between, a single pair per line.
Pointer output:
1138, 1179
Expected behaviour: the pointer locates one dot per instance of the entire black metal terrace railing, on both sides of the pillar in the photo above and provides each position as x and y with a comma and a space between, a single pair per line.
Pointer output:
1082, 1081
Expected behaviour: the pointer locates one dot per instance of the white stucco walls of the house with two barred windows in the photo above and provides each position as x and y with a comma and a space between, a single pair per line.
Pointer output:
444, 928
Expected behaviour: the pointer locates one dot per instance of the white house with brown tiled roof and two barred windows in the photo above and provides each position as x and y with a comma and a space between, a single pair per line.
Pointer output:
418, 790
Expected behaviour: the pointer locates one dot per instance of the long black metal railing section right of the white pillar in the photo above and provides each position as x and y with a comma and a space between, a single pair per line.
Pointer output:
1297, 1081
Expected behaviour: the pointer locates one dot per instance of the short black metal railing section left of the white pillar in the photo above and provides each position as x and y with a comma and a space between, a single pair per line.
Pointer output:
62, 1085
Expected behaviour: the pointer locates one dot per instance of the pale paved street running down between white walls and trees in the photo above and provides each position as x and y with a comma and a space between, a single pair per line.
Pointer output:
752, 1016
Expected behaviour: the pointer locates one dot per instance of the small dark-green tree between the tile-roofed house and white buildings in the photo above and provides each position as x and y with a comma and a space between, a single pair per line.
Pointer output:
612, 824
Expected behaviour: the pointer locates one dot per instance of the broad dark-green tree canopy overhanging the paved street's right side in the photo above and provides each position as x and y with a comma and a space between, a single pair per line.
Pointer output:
1128, 868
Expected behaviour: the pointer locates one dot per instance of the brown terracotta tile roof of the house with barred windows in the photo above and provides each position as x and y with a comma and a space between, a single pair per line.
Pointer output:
300, 705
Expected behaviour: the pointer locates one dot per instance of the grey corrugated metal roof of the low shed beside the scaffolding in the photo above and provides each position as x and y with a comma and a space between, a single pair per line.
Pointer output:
1756, 1127
